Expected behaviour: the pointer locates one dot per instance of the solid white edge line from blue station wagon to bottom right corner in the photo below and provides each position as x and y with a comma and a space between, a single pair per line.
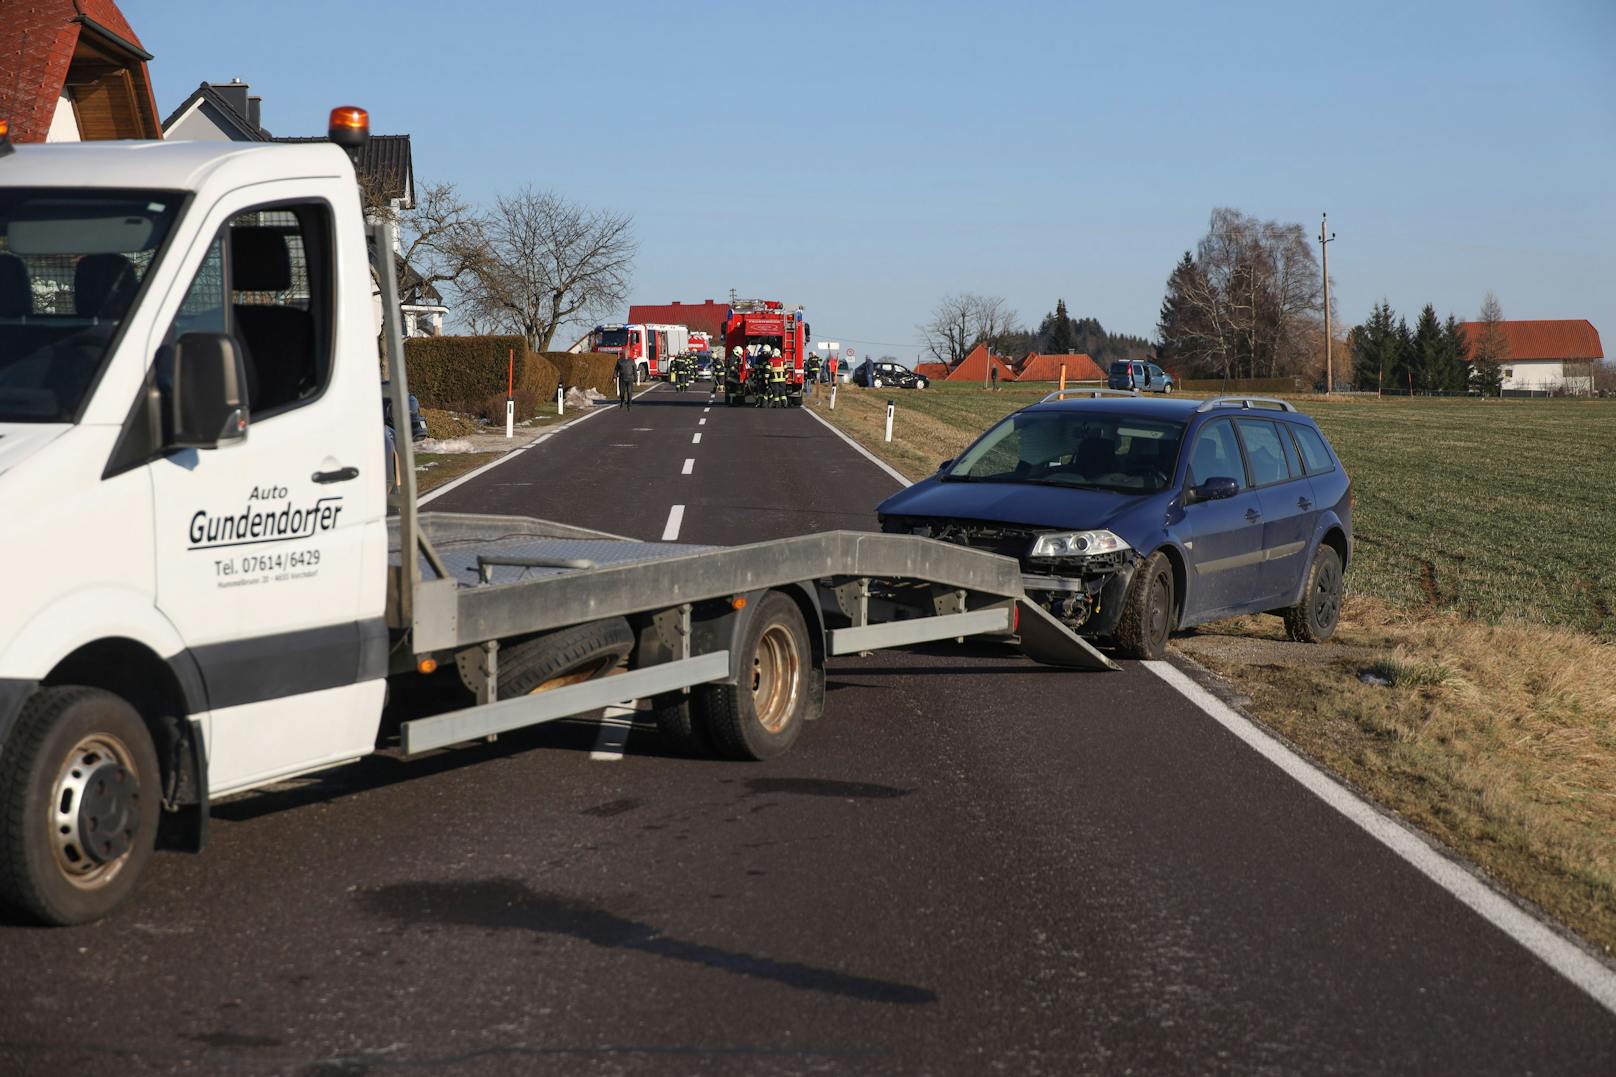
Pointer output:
1562, 955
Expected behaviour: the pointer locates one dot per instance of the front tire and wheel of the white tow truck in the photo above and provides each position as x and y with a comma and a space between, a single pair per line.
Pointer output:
80, 800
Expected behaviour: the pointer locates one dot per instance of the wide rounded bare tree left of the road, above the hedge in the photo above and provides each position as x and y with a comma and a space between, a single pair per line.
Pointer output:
550, 263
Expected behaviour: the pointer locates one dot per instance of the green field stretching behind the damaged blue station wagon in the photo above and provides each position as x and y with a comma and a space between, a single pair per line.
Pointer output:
1491, 509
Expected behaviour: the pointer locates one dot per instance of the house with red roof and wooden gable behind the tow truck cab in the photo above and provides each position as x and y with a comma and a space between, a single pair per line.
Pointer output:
74, 70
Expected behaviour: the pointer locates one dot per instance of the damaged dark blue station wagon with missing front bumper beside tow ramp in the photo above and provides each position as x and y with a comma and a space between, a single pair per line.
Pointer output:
1134, 517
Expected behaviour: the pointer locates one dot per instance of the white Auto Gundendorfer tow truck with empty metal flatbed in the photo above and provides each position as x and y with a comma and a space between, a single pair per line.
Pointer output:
213, 586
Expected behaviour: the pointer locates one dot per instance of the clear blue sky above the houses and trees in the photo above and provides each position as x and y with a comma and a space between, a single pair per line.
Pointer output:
865, 159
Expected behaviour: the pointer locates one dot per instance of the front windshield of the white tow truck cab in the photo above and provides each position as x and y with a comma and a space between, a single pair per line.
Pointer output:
72, 264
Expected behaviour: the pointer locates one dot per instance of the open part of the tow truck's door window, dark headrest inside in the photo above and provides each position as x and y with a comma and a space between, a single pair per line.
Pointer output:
280, 303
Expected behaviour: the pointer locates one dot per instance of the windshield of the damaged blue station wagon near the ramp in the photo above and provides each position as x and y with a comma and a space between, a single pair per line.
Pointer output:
1074, 449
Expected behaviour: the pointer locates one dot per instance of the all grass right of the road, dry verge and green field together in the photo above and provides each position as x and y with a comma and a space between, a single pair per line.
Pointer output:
1481, 602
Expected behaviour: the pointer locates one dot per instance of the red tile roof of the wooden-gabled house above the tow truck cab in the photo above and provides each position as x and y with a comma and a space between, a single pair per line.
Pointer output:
38, 51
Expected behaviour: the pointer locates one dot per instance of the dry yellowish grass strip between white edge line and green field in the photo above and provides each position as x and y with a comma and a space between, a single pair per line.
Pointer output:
1497, 740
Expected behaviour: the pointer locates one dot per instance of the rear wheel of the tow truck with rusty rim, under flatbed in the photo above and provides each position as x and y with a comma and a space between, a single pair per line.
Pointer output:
764, 716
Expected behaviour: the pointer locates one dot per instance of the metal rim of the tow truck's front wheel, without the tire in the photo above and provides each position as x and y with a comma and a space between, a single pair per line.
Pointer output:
95, 811
